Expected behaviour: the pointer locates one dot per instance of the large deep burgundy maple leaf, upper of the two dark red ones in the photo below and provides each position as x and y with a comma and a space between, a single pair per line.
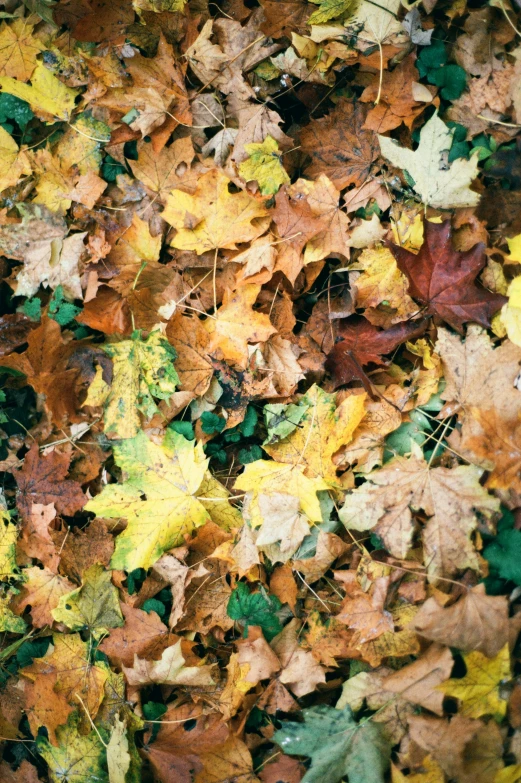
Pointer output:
444, 281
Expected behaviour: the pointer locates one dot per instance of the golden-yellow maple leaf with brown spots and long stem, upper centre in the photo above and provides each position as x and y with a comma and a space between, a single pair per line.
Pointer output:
213, 217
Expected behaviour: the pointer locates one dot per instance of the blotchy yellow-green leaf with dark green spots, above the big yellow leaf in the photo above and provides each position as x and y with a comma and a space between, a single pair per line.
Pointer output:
142, 370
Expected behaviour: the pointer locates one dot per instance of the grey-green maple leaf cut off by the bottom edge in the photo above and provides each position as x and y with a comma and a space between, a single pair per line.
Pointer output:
337, 745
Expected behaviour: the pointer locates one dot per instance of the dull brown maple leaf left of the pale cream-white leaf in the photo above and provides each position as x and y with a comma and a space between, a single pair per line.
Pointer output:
340, 146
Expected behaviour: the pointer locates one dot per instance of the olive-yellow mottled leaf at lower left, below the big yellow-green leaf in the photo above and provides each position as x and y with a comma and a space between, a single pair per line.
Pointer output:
94, 605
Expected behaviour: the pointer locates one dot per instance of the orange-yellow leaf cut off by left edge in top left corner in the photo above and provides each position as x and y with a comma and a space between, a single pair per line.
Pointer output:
18, 49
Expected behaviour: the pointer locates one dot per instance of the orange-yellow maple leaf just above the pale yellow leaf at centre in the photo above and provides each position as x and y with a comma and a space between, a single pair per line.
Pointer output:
322, 430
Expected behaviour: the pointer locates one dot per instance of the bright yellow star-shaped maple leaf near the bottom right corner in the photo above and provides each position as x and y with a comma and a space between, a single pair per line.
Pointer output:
479, 689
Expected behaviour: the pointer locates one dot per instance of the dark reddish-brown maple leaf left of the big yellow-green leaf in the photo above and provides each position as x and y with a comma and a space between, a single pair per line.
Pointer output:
42, 479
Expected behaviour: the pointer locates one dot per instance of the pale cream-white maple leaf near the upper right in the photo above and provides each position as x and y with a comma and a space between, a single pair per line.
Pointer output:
437, 183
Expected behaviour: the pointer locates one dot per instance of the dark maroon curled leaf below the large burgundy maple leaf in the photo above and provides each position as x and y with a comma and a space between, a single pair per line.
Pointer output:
360, 343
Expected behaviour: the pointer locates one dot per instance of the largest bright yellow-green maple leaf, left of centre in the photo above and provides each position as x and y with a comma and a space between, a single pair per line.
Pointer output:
169, 476
